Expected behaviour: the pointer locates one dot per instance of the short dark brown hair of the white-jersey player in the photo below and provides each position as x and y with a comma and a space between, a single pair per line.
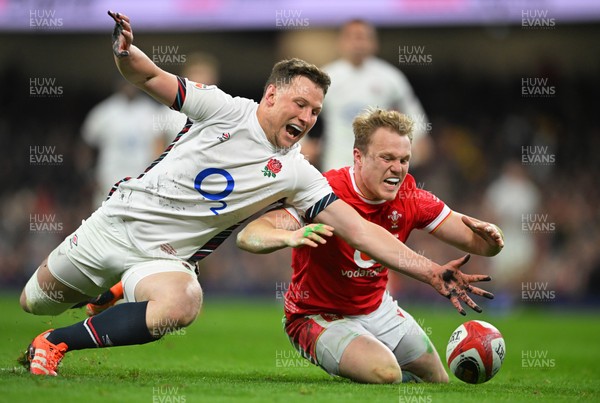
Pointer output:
285, 71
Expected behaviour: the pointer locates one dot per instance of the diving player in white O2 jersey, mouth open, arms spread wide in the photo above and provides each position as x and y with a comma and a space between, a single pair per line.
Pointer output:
233, 158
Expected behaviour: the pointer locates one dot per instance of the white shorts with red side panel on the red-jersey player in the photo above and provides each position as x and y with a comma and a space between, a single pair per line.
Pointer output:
323, 338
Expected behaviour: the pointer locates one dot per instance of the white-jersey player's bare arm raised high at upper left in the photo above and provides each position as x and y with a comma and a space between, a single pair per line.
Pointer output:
136, 67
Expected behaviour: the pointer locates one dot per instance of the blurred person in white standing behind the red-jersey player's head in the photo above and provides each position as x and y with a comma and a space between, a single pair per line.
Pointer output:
358, 80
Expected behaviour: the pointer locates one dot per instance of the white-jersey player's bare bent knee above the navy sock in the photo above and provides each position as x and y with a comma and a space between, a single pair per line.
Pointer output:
174, 301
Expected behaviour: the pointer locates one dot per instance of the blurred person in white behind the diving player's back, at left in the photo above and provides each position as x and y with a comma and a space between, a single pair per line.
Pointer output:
124, 131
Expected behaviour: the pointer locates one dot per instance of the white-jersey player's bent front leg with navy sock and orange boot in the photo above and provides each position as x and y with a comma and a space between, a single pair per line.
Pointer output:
165, 301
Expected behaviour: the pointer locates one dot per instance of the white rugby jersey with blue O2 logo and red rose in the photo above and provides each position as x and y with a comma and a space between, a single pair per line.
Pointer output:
218, 172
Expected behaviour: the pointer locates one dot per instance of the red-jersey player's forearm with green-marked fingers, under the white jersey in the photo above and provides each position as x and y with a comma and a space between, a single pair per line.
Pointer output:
277, 229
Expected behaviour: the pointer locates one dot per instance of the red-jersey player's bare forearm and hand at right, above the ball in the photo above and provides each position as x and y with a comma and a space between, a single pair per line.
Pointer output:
471, 235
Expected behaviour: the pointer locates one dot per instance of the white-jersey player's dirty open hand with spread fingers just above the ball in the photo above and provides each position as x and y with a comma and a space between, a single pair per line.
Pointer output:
453, 284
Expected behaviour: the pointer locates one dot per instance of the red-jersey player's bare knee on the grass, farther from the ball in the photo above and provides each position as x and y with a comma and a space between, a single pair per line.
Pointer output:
368, 360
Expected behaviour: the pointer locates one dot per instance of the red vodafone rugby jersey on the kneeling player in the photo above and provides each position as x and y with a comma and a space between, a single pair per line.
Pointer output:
335, 278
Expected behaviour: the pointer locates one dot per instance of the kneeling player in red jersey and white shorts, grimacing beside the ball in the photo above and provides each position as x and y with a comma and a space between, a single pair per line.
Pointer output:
338, 313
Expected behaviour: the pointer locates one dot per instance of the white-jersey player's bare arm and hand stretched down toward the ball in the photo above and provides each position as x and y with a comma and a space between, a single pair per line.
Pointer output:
382, 246
